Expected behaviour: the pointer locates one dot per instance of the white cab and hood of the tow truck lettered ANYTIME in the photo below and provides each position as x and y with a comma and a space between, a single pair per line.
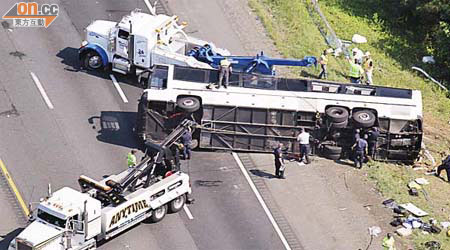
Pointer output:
67, 210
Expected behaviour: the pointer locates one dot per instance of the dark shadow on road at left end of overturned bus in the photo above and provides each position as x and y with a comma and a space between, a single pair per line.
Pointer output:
116, 127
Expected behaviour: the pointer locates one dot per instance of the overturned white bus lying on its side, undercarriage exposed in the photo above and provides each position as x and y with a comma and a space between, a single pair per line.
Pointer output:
255, 112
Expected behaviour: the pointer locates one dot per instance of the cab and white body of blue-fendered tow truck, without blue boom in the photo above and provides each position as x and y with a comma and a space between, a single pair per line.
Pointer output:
138, 41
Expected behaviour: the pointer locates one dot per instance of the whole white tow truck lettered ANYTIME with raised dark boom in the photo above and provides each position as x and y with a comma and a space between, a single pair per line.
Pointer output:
70, 219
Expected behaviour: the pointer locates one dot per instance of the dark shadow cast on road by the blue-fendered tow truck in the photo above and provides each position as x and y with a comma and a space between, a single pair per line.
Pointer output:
69, 58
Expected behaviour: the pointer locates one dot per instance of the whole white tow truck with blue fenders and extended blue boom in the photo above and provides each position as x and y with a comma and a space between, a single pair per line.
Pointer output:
140, 40
